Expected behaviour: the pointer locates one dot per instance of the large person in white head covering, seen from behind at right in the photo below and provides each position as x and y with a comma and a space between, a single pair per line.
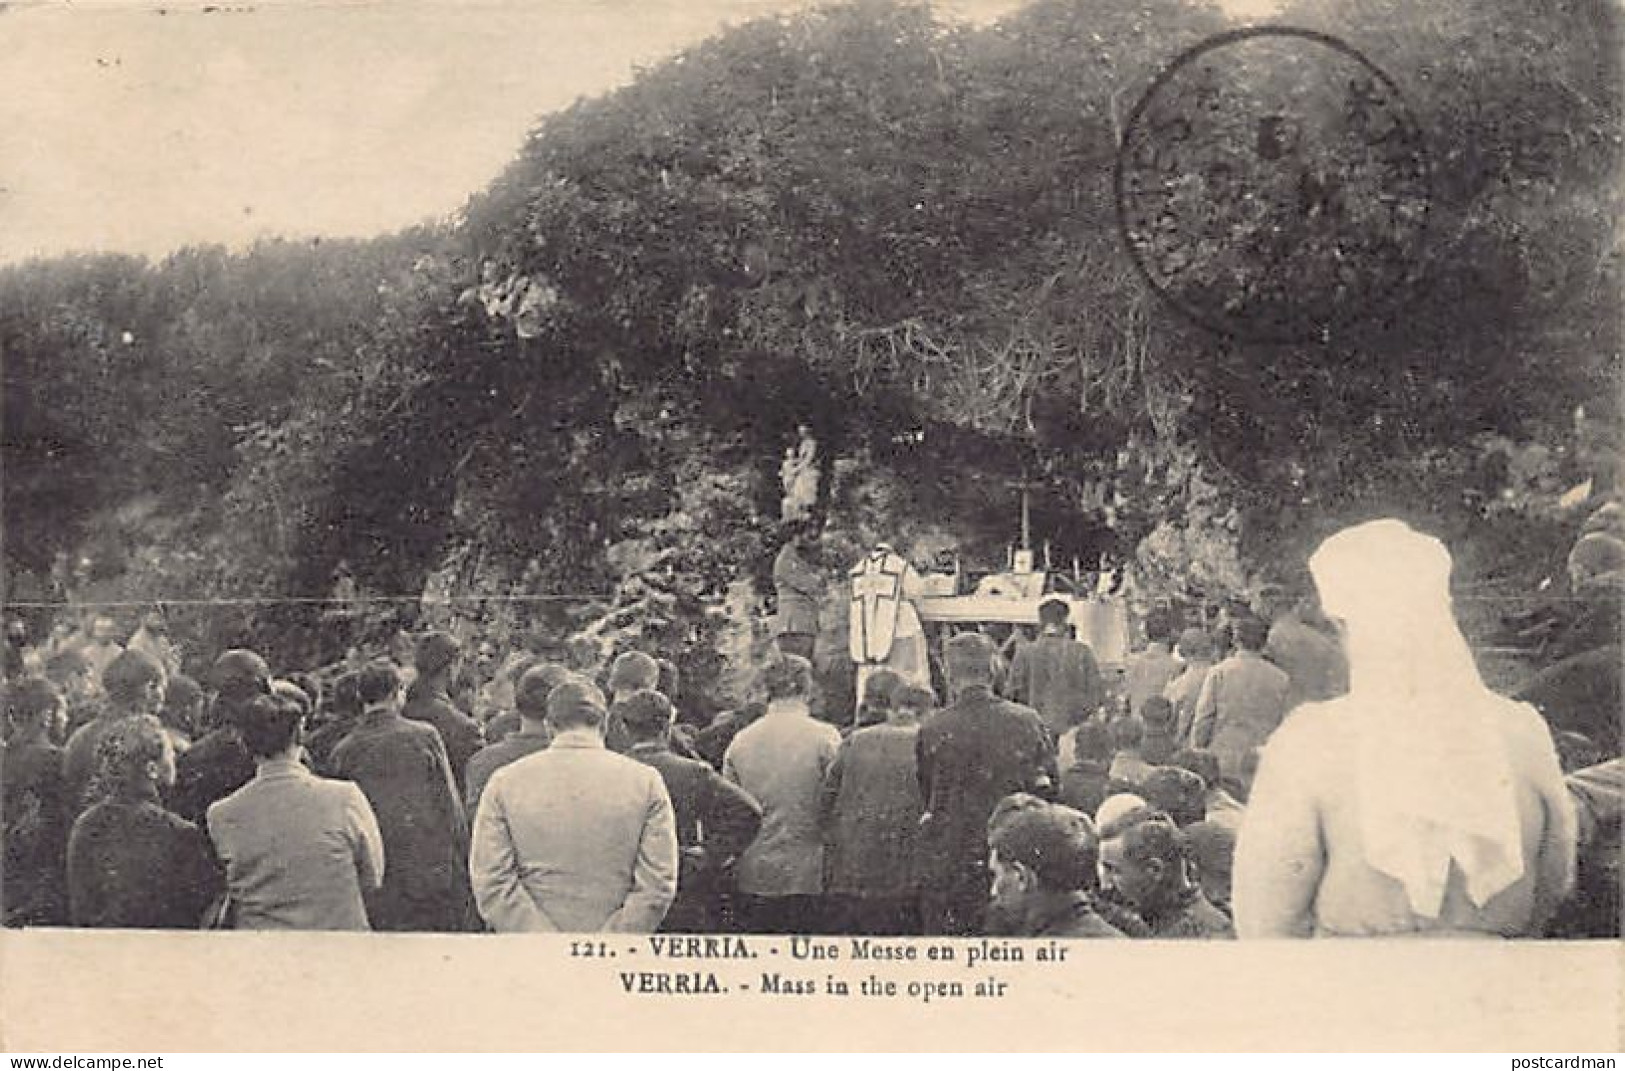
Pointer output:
1418, 804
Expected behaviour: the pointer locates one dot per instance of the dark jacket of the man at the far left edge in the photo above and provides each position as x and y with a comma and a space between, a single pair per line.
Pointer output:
37, 836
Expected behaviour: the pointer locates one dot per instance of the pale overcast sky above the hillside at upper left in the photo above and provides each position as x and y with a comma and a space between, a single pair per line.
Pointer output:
141, 128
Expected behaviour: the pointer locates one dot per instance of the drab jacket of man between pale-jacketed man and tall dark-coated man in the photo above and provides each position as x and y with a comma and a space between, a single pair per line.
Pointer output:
872, 813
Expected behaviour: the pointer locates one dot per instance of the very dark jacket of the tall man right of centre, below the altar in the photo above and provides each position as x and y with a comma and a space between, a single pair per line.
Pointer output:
969, 757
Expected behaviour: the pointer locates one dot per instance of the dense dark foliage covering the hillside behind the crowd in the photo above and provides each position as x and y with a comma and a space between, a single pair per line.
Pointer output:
895, 230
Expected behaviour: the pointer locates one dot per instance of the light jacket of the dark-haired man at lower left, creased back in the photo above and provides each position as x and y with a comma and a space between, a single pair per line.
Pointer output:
300, 851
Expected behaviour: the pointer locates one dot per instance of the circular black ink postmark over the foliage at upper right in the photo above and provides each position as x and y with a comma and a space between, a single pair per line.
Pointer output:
1273, 186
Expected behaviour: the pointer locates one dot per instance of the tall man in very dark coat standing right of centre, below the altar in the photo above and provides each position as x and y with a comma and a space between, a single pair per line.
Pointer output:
971, 757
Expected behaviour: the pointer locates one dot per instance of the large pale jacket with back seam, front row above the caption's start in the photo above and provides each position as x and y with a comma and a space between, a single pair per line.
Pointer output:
574, 839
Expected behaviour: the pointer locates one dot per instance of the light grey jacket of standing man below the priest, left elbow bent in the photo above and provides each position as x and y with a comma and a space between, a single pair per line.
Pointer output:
782, 760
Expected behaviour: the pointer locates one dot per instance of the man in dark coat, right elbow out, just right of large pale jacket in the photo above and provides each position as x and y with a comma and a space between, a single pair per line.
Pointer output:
717, 820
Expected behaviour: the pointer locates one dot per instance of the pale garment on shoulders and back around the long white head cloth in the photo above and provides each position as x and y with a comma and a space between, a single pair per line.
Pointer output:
1301, 869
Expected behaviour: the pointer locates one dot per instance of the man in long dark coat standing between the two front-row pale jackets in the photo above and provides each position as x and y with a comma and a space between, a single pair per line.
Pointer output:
401, 766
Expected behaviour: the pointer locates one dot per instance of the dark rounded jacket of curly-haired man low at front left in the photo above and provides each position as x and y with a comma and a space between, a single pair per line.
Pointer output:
136, 865
